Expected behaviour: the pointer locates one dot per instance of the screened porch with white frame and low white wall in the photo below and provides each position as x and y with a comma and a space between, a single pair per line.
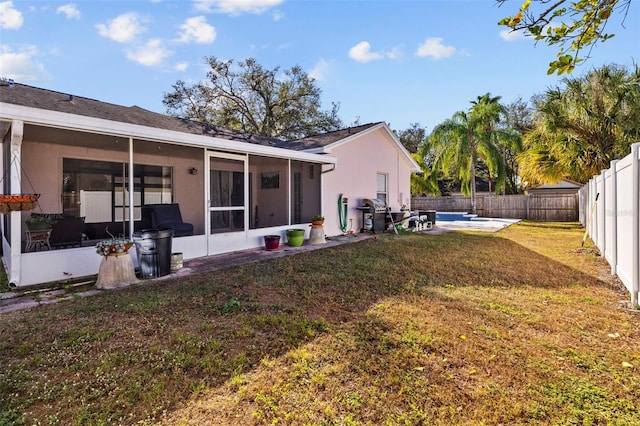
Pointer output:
231, 188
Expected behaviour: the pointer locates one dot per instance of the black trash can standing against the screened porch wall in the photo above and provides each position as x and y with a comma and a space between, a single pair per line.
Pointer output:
153, 247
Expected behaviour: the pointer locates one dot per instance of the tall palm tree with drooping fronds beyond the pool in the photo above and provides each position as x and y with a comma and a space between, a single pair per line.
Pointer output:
460, 141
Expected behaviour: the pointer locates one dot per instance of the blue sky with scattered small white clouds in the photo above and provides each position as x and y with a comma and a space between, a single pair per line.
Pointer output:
397, 61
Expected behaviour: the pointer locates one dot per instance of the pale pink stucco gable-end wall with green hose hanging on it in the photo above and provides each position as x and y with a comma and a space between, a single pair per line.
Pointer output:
359, 161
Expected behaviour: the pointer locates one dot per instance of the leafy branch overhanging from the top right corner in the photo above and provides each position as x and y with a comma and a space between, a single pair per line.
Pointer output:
573, 25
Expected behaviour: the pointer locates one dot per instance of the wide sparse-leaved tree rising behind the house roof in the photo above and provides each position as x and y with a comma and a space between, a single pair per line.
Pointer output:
253, 99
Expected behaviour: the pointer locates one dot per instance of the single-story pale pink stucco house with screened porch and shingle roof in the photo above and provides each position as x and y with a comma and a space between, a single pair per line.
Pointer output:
103, 164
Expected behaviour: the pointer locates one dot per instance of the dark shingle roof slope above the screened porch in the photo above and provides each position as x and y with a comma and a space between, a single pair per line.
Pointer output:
34, 97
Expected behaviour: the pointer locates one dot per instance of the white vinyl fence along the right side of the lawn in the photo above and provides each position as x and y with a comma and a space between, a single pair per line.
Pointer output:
610, 210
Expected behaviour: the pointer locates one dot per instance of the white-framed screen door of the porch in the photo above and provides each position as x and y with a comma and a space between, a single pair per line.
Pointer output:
227, 201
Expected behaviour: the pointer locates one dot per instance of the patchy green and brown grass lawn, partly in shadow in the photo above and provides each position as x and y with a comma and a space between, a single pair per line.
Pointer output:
521, 327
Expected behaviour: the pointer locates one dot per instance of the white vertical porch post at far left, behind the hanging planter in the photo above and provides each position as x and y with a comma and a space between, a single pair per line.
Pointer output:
15, 186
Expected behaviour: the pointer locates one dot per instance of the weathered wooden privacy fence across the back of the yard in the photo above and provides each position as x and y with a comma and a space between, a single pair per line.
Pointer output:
536, 207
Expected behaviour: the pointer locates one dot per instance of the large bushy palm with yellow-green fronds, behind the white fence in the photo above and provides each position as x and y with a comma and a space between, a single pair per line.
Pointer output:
580, 128
